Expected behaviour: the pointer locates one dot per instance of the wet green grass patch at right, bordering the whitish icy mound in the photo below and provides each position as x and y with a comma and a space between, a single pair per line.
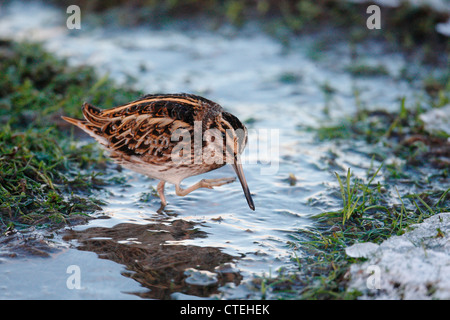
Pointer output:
384, 203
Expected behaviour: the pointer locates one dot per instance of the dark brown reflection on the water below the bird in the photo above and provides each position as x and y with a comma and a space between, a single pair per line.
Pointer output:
161, 267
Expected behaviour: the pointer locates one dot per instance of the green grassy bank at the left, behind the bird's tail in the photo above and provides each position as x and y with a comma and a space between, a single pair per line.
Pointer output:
45, 179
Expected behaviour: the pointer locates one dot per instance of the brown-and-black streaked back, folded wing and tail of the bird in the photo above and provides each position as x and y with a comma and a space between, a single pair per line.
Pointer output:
144, 128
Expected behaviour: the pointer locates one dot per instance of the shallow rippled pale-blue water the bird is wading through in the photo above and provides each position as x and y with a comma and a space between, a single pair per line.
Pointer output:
278, 89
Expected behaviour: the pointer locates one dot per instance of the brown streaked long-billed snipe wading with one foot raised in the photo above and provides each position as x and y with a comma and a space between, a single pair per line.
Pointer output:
170, 137
